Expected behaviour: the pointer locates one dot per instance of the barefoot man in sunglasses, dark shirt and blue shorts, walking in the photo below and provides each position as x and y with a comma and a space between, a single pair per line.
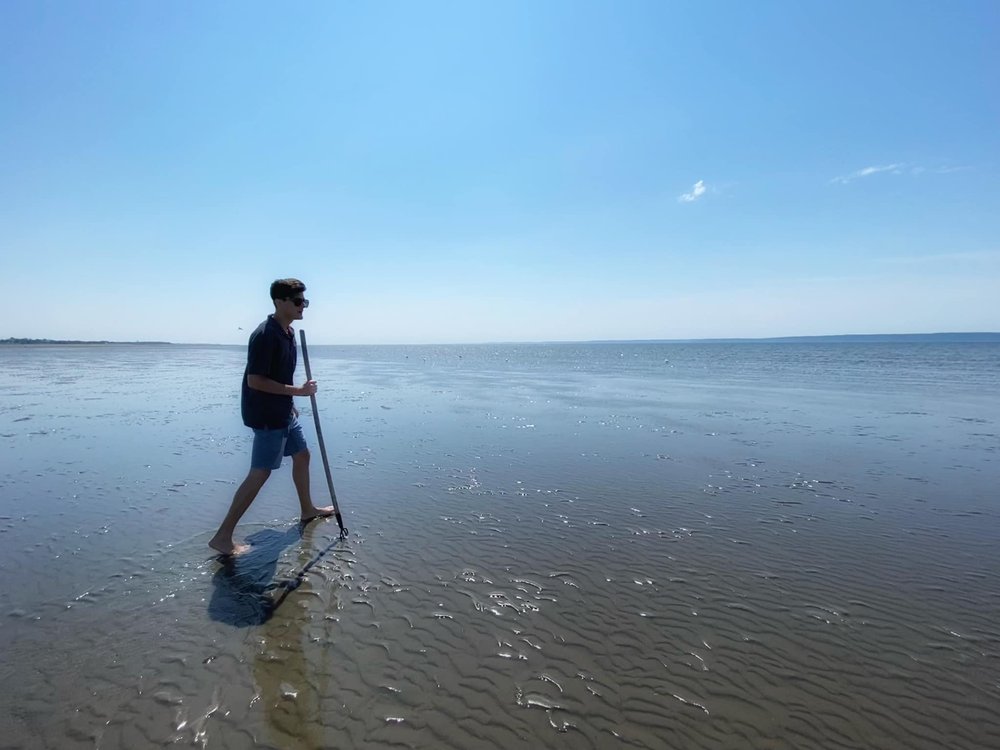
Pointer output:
266, 404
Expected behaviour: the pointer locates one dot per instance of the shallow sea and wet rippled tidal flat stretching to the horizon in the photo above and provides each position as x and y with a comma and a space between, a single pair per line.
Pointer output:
613, 545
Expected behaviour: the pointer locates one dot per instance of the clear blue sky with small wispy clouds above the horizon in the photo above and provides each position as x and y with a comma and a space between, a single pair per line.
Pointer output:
516, 171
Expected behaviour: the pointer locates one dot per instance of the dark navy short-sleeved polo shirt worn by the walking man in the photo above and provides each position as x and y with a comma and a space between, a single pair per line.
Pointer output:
271, 353
